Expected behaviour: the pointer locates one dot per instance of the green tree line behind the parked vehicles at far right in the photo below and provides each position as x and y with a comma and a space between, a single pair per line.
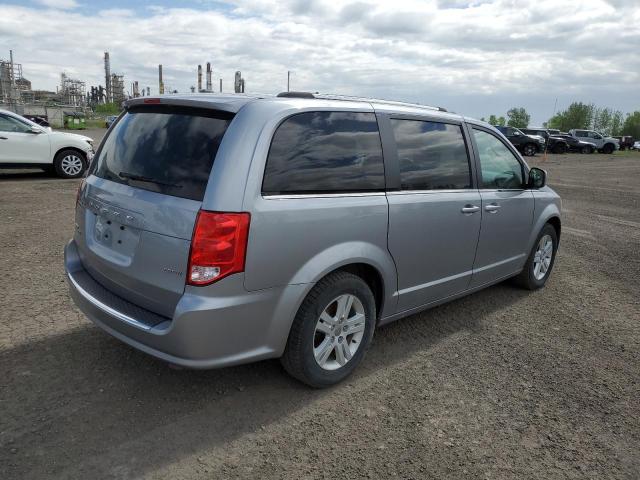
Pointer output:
586, 116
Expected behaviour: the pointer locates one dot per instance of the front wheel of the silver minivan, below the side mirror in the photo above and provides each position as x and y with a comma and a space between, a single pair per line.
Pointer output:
541, 259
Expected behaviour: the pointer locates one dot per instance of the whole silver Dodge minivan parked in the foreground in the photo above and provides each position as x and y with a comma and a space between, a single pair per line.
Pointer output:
216, 230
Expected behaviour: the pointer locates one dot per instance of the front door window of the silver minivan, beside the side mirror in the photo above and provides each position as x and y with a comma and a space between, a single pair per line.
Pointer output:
500, 168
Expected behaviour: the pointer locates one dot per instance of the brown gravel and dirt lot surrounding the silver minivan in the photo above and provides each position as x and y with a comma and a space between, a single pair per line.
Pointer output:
501, 384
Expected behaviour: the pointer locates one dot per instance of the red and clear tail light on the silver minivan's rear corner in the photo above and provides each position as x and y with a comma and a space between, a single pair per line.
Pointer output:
218, 246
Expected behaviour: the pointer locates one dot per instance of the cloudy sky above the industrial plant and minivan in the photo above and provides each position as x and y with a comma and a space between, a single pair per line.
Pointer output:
474, 57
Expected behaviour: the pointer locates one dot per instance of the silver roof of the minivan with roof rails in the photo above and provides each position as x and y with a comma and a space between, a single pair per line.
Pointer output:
233, 102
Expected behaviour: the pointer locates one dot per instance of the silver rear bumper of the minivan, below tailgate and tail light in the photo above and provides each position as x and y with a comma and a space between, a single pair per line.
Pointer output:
214, 326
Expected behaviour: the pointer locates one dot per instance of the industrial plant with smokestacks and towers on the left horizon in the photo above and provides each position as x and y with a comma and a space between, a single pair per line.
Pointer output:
72, 96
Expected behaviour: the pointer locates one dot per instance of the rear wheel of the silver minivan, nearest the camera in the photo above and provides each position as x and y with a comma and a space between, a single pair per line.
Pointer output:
331, 331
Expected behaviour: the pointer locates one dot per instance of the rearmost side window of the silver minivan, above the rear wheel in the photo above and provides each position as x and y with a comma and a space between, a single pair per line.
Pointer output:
325, 152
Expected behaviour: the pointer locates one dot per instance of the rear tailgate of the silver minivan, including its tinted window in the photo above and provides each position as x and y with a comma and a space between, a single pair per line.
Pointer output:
136, 213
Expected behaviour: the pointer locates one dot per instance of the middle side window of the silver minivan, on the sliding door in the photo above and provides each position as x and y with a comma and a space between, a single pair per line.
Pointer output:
432, 155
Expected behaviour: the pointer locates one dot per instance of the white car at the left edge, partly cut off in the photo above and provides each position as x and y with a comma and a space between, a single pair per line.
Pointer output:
25, 144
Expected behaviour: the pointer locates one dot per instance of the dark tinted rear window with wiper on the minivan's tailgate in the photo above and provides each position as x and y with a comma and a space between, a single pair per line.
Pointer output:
163, 149
